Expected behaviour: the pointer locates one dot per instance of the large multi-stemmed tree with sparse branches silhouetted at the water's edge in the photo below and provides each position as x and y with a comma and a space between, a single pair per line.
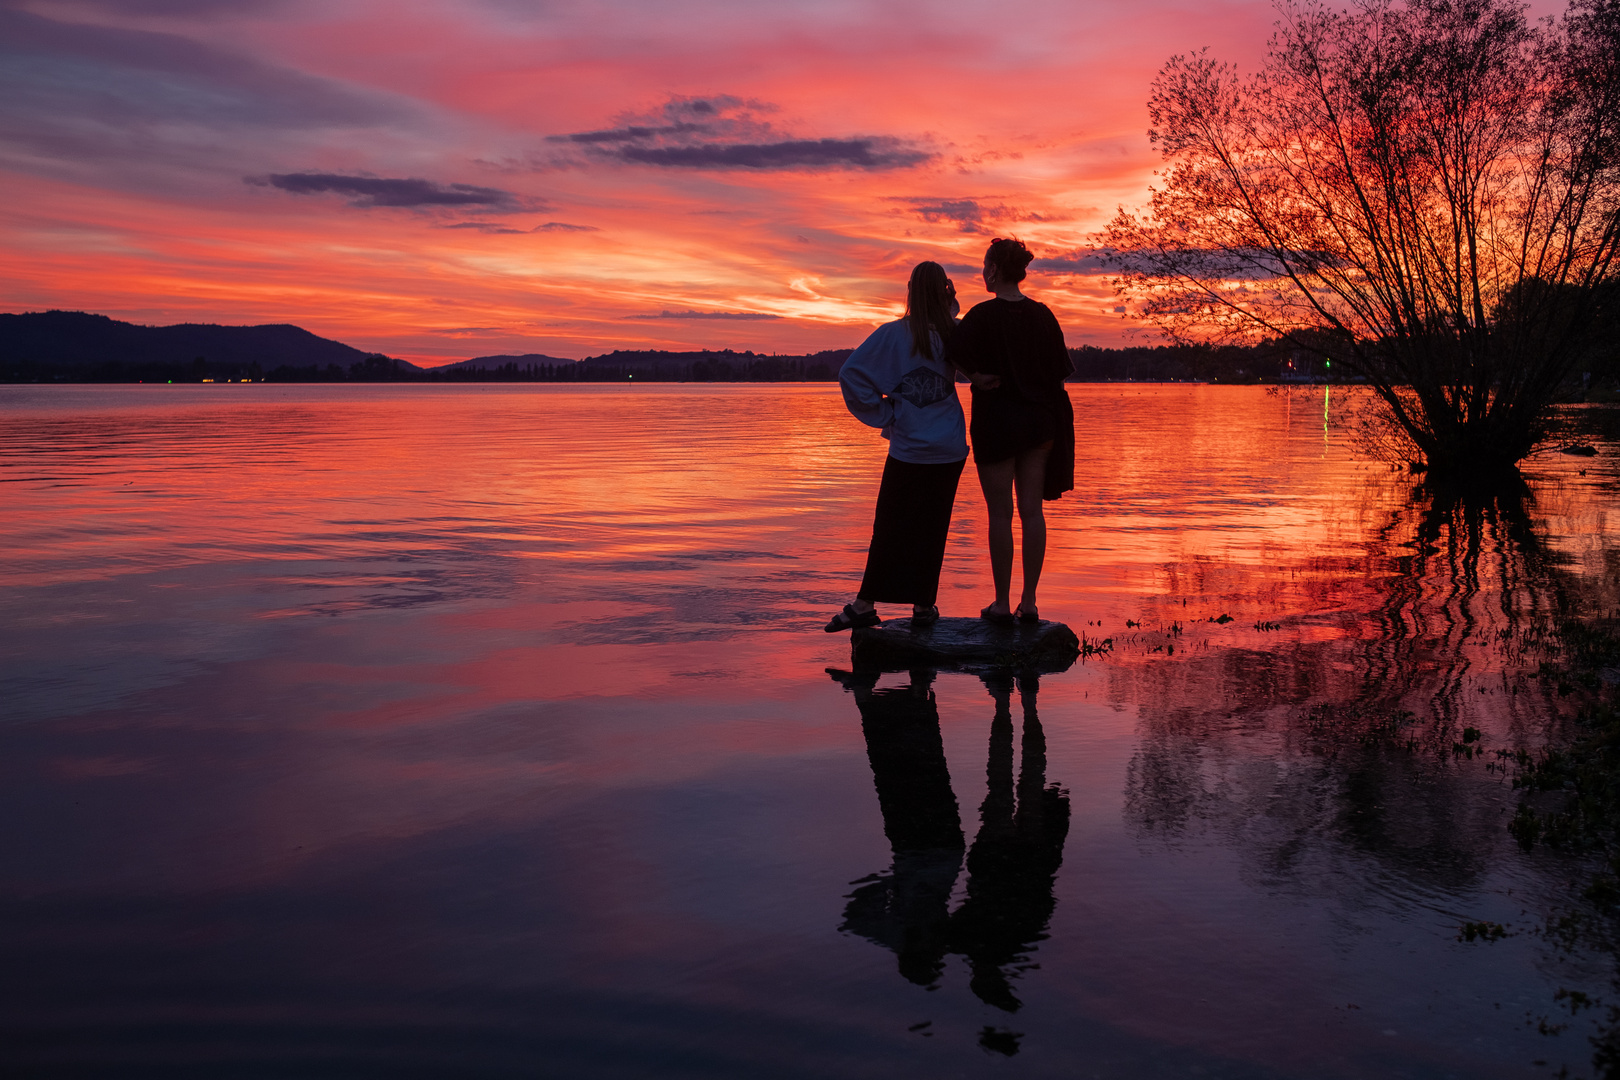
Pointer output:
1426, 192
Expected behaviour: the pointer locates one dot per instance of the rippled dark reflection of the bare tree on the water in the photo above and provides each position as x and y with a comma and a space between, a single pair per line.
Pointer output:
1316, 757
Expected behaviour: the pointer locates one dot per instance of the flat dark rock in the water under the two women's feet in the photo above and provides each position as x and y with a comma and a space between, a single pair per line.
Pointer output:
965, 645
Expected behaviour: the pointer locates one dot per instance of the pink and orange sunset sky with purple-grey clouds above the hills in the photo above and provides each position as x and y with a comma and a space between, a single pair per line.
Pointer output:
448, 179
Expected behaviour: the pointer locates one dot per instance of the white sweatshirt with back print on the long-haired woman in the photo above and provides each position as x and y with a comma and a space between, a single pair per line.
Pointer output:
913, 399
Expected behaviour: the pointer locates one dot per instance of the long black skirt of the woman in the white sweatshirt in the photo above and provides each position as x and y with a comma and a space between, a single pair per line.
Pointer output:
910, 532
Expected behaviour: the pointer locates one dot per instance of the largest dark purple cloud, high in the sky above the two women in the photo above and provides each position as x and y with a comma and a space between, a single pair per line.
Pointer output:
731, 134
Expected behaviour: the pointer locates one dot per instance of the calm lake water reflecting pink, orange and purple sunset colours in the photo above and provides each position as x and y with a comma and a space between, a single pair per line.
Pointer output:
488, 731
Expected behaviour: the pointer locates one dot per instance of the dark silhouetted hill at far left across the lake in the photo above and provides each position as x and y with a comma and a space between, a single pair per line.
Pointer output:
75, 344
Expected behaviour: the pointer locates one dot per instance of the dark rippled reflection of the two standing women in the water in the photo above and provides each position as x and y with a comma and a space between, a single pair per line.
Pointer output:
1012, 865
